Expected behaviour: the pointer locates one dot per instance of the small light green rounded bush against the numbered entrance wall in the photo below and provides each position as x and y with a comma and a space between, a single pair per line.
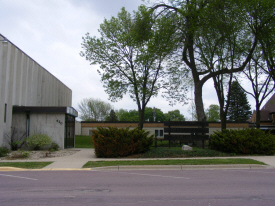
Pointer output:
36, 141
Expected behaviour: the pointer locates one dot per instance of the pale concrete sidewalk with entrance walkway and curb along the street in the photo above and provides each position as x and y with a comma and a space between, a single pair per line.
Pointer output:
82, 156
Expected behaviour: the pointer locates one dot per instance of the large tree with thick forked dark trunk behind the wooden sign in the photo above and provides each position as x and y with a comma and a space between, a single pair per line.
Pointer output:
203, 30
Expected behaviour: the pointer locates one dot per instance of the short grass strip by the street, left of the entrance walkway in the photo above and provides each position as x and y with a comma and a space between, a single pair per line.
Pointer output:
25, 165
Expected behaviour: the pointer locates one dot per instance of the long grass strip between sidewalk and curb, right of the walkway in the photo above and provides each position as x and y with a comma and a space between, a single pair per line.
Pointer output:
91, 164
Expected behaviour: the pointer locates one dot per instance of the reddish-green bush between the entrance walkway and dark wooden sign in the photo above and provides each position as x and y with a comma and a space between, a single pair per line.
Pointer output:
114, 142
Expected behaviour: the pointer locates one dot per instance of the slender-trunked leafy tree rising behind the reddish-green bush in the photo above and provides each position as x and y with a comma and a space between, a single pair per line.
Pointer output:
132, 62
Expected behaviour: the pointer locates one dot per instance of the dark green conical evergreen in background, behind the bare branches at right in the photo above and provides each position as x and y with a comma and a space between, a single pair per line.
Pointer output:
239, 109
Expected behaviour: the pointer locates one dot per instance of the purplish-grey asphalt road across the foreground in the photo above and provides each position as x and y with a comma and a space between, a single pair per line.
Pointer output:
159, 187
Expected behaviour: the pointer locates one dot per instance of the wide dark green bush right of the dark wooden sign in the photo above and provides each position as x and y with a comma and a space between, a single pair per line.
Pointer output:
247, 141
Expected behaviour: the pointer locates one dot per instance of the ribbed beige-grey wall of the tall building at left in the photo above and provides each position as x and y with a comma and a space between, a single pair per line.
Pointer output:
24, 82
